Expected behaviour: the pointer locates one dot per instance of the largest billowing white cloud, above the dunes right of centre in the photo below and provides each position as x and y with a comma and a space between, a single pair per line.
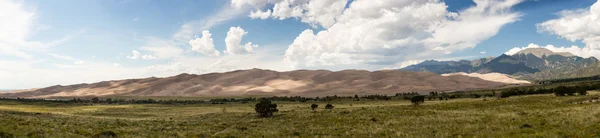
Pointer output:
392, 31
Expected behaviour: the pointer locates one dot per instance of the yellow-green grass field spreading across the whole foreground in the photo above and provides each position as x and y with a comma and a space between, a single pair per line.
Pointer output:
518, 116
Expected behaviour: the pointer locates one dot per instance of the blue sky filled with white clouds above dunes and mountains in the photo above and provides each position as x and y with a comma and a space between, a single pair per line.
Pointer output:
62, 42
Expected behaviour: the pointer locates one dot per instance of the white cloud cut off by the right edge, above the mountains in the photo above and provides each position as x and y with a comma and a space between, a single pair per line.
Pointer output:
573, 25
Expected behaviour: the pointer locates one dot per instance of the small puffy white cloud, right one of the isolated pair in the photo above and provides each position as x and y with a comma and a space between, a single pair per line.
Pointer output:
233, 40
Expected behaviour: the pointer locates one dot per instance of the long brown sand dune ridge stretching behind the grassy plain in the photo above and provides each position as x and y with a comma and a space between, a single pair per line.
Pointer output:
267, 82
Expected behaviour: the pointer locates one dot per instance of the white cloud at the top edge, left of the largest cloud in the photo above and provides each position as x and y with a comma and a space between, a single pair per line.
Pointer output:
313, 12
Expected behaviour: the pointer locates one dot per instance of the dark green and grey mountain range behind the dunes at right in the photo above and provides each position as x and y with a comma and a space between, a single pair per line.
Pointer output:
530, 64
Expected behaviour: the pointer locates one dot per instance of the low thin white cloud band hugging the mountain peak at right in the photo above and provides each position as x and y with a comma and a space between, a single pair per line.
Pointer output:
575, 50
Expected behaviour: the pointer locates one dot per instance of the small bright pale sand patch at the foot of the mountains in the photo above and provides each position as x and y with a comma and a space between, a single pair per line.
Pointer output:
495, 77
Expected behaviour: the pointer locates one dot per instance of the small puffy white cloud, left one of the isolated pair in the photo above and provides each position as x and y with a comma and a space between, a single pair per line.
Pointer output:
204, 44
